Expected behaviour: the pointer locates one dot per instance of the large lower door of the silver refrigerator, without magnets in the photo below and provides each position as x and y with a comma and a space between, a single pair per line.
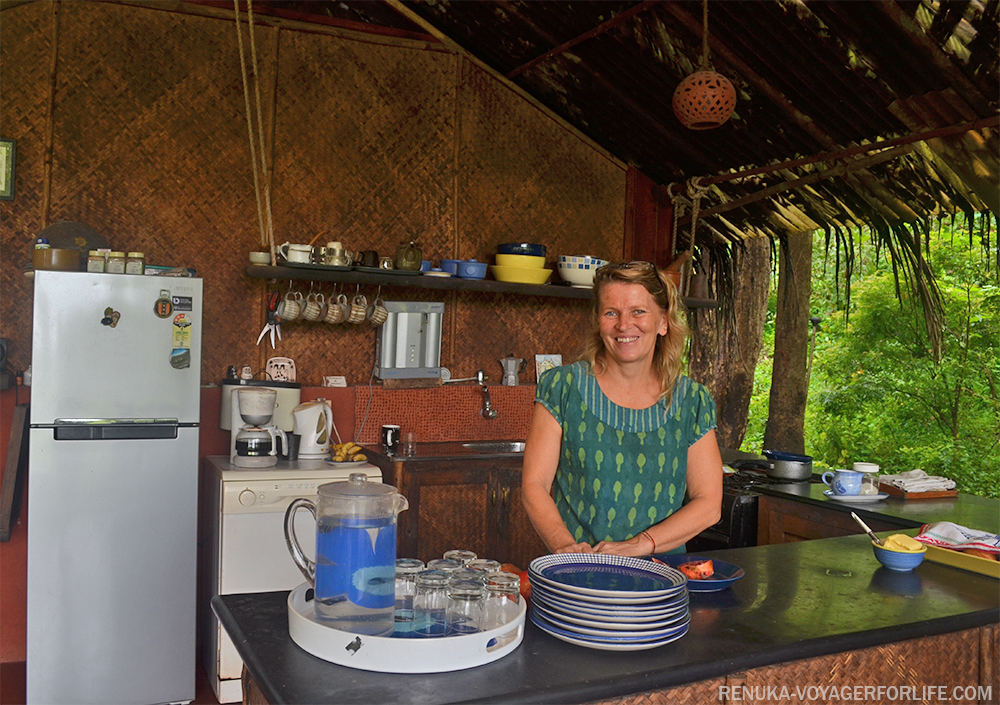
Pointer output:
112, 557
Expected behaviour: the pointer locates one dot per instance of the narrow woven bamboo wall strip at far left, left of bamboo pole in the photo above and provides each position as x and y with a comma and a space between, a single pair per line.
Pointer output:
26, 45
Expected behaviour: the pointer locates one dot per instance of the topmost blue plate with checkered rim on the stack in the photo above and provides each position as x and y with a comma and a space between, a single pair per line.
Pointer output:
597, 575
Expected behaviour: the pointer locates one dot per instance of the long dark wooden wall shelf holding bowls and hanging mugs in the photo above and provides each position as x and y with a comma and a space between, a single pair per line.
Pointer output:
342, 276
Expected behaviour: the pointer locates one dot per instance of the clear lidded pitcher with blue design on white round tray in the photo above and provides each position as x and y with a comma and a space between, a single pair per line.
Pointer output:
354, 575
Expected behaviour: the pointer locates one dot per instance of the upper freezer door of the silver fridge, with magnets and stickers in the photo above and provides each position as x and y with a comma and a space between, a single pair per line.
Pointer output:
115, 346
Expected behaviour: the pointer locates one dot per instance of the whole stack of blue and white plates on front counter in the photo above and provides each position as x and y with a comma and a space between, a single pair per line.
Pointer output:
615, 603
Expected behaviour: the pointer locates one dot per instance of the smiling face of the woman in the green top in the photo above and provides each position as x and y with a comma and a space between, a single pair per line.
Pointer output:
630, 321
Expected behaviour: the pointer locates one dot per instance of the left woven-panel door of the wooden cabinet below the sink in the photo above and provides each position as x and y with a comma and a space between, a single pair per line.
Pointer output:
449, 508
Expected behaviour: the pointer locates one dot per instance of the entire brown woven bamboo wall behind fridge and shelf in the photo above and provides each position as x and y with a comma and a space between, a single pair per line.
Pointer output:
373, 141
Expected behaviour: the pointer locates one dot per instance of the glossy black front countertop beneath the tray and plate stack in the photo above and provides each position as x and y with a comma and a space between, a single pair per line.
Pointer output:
797, 600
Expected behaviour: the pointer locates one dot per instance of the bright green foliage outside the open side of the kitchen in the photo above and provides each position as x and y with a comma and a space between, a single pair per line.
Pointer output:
876, 393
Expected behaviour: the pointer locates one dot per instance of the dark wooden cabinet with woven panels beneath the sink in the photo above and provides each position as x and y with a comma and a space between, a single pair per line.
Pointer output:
471, 503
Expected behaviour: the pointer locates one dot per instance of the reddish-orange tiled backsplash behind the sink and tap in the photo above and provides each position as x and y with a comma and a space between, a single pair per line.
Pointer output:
448, 413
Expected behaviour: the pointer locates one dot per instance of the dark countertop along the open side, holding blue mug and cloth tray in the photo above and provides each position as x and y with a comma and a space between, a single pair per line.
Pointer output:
966, 510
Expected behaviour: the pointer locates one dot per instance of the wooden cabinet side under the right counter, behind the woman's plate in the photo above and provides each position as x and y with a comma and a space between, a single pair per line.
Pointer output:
785, 520
